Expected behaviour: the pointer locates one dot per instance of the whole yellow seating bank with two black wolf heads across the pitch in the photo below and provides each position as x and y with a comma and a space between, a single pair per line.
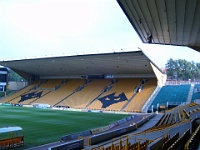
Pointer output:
99, 94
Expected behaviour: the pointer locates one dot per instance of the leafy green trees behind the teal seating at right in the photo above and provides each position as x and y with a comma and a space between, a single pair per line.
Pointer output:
182, 70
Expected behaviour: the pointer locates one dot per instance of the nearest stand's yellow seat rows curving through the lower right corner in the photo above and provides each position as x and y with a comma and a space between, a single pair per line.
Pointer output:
168, 133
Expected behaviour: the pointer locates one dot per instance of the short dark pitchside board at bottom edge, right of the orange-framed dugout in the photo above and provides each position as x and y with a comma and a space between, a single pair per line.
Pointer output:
74, 145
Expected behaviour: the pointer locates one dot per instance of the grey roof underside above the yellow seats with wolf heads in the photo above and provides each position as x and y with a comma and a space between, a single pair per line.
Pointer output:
126, 63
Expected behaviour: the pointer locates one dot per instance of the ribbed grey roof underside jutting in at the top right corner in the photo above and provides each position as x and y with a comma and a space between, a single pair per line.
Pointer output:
171, 22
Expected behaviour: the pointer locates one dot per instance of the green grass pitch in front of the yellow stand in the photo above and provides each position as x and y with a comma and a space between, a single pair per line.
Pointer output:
43, 126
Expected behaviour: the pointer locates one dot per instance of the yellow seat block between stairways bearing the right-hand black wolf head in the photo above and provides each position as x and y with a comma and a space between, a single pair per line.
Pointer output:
116, 95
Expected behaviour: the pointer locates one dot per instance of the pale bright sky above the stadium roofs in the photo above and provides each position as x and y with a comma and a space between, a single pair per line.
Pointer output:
48, 28
